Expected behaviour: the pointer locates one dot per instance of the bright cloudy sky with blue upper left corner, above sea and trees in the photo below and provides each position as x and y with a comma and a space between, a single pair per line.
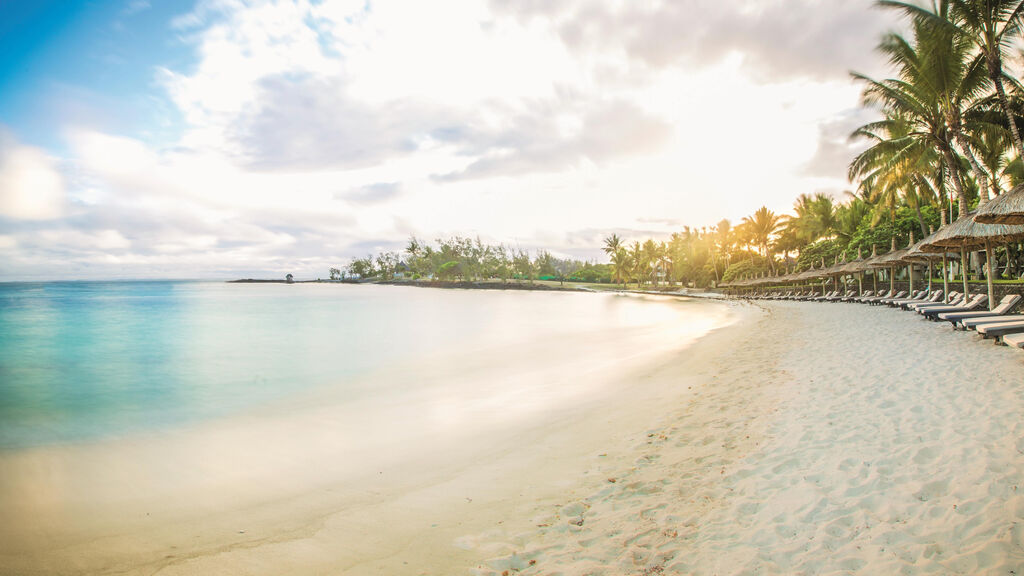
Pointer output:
226, 138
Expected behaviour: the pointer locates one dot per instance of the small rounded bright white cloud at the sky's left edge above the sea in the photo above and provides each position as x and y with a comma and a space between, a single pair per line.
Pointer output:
31, 186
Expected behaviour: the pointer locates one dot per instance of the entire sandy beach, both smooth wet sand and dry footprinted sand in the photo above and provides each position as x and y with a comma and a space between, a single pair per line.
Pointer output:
800, 438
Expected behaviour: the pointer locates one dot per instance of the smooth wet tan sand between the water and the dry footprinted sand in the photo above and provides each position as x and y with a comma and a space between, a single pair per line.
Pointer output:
305, 510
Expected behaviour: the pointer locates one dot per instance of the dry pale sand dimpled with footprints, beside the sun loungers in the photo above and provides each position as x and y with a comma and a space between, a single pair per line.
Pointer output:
836, 440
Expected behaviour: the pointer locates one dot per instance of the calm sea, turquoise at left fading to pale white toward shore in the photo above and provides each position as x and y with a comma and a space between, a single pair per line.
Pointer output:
88, 361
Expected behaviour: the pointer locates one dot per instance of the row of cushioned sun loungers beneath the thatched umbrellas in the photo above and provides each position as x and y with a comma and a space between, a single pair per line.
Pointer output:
964, 312
